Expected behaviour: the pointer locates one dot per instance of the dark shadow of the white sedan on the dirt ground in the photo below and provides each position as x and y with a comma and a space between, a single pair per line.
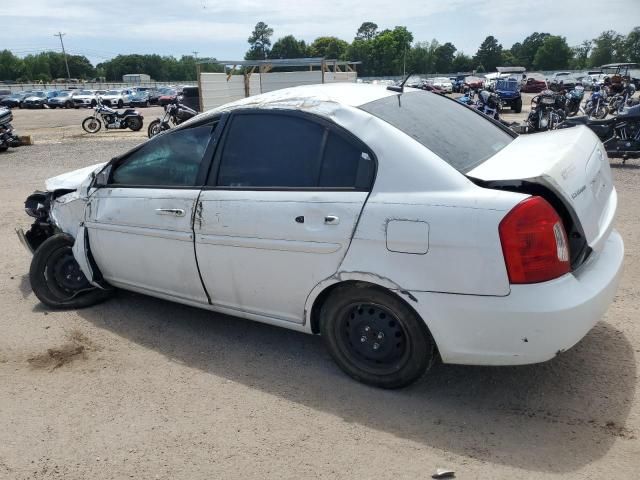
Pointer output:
555, 417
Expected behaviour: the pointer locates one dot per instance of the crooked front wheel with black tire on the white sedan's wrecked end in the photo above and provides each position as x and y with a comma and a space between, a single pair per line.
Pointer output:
52, 266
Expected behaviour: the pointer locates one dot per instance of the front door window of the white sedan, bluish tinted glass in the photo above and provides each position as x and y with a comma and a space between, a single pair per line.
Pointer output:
170, 160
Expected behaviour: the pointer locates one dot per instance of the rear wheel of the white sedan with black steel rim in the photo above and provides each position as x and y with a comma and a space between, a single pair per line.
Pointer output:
375, 337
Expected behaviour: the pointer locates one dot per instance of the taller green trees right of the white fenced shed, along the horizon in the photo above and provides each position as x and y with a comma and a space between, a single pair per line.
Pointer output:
391, 52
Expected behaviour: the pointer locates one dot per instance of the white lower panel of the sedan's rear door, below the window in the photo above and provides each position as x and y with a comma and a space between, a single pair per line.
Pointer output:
264, 251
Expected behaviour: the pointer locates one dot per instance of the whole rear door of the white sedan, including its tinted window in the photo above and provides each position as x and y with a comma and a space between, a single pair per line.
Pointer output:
279, 211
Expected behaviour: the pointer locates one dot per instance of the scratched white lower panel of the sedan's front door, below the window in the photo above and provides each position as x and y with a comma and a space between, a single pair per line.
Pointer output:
143, 238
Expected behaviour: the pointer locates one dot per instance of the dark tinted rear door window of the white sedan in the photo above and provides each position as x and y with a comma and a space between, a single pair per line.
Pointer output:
277, 150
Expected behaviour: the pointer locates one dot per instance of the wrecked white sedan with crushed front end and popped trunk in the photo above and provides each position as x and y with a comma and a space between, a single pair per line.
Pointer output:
344, 210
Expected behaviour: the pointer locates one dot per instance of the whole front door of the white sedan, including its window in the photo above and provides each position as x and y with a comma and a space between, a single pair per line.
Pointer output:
140, 224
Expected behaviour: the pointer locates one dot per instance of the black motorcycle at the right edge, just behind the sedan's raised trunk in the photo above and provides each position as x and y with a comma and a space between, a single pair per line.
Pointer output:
619, 135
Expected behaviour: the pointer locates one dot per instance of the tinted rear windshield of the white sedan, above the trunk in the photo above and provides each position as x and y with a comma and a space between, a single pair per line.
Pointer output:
461, 137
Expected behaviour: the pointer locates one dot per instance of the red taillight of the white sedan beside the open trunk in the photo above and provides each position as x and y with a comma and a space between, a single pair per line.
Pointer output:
534, 242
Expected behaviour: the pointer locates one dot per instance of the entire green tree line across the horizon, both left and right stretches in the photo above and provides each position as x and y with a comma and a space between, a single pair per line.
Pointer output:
382, 52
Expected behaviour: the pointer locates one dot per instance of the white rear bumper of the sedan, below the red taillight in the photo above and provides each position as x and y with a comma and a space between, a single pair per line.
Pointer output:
533, 323
